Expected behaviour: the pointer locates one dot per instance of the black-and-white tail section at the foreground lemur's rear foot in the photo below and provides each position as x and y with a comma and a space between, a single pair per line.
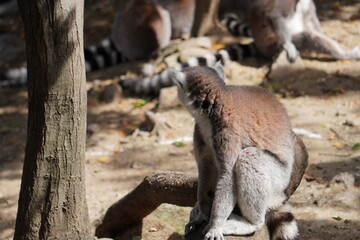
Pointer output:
282, 224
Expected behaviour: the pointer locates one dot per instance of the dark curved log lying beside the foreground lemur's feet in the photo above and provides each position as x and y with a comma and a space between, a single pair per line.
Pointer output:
161, 187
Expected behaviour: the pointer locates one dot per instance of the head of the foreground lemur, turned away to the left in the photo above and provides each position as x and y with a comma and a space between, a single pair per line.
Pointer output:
198, 86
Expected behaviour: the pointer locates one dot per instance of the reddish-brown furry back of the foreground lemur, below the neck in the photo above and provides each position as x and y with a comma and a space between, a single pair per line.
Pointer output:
258, 116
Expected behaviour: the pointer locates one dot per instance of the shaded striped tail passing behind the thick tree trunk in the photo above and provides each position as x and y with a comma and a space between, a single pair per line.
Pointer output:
97, 57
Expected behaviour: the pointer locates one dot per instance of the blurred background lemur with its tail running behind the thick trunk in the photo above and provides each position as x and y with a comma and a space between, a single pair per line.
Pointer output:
137, 32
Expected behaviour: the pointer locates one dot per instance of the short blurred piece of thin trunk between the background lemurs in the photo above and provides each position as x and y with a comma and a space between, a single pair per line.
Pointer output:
206, 17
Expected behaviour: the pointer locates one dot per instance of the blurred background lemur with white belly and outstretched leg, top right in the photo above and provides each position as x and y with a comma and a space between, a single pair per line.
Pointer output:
291, 25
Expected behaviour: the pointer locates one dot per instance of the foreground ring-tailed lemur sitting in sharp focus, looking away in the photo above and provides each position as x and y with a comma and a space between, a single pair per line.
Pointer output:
246, 153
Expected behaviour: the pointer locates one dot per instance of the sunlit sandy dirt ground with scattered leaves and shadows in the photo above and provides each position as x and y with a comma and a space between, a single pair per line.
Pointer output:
322, 98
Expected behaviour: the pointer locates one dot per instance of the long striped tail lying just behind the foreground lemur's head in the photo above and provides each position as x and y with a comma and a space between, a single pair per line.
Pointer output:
151, 86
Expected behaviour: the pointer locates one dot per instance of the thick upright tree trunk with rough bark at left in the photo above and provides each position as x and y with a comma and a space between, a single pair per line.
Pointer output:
52, 203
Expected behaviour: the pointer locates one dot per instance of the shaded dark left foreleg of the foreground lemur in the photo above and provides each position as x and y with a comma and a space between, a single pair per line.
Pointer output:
206, 185
